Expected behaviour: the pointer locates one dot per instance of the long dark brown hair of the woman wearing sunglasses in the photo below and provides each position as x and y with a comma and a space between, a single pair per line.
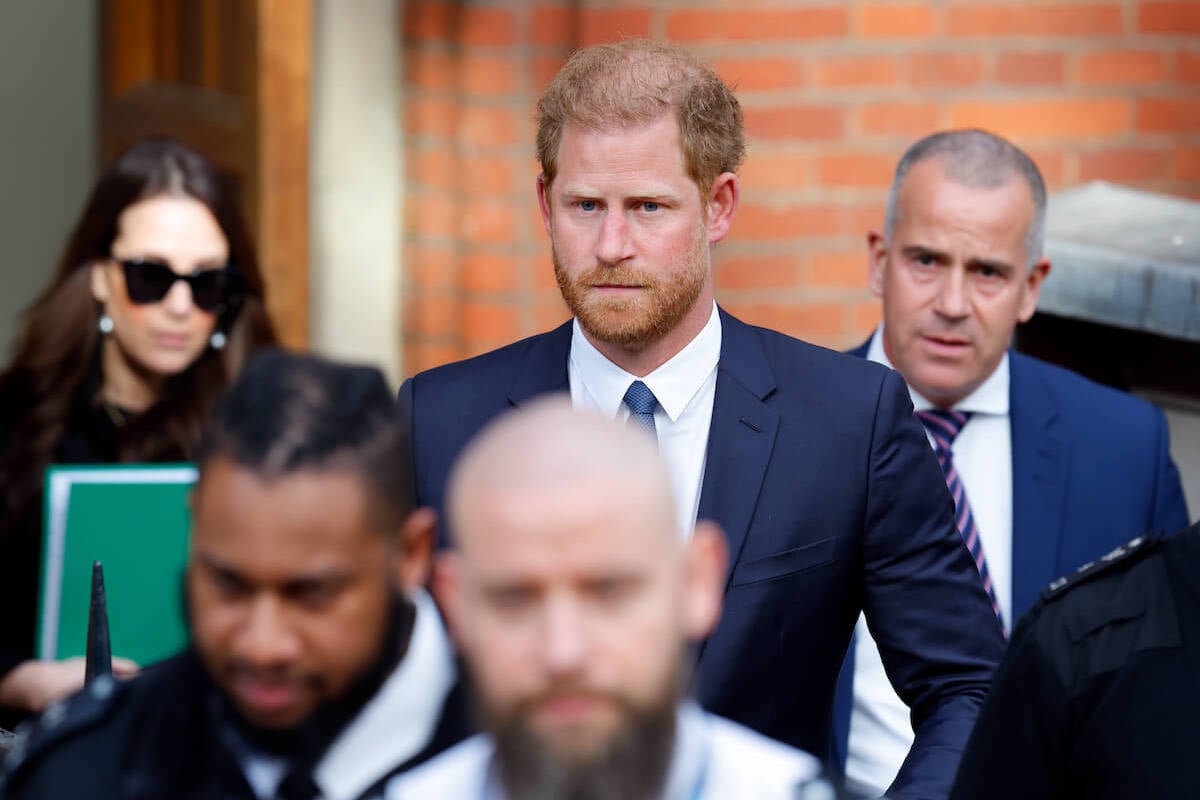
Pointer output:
56, 353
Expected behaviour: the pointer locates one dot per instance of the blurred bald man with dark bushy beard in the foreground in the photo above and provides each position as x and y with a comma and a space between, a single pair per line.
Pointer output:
573, 598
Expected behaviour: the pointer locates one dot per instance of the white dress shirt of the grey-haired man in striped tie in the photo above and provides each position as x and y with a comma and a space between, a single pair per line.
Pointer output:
880, 725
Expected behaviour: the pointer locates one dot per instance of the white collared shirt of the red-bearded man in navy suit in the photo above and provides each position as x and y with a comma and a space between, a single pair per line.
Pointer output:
685, 387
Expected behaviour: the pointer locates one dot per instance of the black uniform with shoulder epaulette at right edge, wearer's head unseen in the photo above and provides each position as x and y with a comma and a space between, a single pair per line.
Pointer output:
1099, 695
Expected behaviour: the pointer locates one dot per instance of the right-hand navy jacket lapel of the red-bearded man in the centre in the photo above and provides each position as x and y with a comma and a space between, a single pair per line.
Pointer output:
741, 437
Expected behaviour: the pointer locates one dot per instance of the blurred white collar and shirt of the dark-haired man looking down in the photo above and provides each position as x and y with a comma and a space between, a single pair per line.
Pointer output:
393, 727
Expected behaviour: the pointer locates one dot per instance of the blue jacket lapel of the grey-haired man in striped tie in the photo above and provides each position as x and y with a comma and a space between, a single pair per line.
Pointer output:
1040, 483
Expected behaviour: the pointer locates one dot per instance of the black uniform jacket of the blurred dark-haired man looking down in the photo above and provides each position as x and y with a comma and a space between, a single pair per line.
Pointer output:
155, 738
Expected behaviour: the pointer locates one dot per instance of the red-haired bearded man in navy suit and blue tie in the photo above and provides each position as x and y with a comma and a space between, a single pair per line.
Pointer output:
811, 461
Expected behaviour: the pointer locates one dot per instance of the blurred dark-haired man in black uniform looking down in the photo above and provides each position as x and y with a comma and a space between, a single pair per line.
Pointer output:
319, 665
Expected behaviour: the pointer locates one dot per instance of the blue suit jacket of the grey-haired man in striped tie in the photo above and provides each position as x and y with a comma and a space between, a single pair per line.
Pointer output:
1091, 471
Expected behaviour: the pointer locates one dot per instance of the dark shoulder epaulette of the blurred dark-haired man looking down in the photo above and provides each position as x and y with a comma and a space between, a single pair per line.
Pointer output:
62, 720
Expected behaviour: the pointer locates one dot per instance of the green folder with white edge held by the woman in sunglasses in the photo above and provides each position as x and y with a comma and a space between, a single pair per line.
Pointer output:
135, 521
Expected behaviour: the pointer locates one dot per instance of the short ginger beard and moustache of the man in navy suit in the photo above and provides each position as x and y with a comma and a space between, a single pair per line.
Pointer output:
635, 323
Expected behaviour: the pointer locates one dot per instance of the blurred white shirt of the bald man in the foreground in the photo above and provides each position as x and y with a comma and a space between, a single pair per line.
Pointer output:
712, 760
